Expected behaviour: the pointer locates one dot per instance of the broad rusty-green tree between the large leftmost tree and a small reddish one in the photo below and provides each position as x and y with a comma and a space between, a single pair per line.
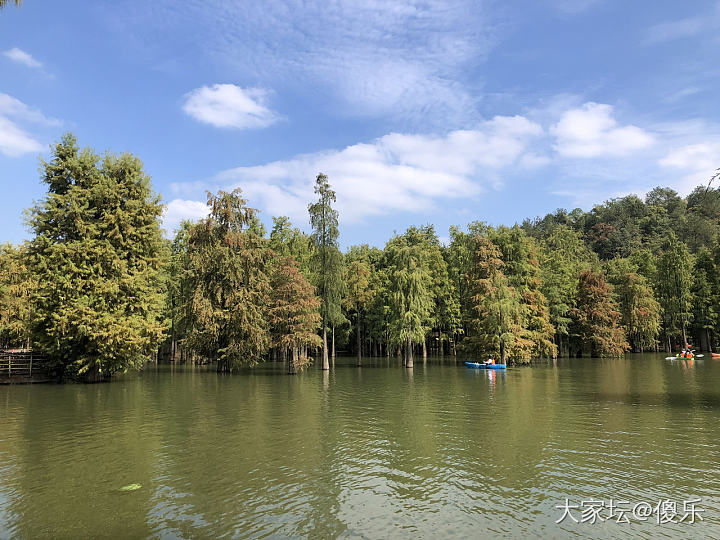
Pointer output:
230, 284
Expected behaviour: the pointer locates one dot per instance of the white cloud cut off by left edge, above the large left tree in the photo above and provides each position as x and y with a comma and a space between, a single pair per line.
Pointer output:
14, 140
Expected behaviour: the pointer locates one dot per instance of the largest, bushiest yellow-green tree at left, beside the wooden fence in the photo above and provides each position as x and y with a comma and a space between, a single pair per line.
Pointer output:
96, 255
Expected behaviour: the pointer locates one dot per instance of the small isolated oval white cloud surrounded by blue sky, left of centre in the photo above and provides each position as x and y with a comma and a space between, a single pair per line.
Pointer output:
229, 106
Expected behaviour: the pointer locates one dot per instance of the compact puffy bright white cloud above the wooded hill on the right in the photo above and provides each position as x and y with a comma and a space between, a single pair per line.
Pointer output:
591, 131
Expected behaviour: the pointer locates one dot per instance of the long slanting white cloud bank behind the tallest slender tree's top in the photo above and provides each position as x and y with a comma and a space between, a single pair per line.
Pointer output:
395, 173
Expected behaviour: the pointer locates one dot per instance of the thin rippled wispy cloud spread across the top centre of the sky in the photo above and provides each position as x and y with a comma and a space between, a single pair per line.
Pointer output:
407, 60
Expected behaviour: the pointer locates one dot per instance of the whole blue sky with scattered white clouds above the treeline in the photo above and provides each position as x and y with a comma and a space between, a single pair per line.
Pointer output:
418, 111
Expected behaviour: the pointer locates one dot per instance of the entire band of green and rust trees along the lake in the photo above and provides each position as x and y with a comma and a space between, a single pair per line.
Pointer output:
99, 290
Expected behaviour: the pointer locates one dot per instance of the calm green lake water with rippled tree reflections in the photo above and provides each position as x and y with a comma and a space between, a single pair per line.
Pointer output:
438, 451
